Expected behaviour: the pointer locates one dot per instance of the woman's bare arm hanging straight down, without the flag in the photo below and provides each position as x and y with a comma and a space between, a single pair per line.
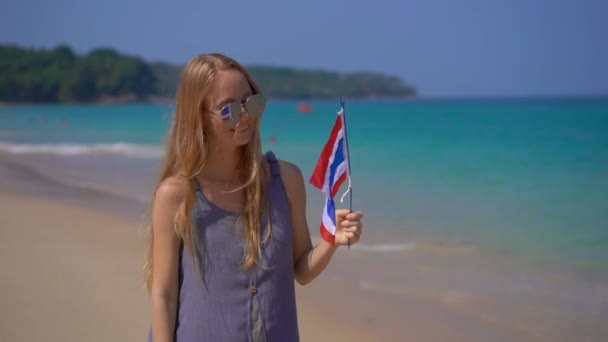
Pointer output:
164, 289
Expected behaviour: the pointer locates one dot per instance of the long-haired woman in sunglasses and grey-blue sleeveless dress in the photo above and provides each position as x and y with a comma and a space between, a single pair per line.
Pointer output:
229, 232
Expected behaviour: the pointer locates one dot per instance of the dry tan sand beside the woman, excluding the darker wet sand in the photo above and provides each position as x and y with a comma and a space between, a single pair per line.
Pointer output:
73, 274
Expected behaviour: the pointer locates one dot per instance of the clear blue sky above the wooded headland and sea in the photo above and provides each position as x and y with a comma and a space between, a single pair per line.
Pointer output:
445, 48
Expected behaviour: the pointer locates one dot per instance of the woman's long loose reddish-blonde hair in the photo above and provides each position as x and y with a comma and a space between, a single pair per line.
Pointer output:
186, 155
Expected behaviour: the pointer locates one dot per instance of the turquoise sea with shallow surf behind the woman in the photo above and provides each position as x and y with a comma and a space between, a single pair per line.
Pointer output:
514, 177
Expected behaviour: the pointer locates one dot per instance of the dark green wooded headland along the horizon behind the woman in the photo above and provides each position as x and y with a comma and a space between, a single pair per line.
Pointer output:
60, 75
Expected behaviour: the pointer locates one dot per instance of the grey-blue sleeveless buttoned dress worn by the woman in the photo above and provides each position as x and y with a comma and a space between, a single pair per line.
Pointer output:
226, 303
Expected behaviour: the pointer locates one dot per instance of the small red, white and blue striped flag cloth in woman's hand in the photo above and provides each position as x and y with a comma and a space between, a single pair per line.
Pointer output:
330, 173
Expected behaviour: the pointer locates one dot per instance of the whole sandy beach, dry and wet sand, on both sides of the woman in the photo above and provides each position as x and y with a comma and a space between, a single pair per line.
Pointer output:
71, 271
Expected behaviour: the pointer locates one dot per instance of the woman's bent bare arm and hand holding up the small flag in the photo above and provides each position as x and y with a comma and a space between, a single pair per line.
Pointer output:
309, 261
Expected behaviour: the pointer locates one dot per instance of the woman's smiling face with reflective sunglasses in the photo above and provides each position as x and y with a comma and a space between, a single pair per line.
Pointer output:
233, 111
